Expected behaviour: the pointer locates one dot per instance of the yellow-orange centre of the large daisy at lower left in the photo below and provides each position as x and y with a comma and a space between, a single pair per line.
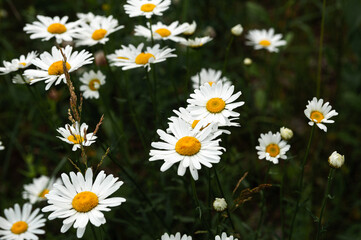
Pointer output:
85, 201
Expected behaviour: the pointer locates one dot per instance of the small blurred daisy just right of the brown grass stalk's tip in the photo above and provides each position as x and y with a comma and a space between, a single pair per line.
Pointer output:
91, 83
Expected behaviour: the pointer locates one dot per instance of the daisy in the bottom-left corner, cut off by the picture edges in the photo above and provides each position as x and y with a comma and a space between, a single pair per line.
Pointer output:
21, 224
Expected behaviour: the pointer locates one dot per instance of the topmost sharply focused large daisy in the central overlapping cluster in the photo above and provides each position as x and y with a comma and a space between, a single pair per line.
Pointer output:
215, 103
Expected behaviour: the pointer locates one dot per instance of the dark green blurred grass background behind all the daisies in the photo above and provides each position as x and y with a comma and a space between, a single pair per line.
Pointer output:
275, 88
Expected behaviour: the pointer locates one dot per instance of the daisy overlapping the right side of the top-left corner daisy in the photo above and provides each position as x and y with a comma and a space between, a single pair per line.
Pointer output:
97, 31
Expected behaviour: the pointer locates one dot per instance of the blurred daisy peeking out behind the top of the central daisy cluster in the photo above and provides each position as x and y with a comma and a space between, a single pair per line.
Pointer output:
209, 76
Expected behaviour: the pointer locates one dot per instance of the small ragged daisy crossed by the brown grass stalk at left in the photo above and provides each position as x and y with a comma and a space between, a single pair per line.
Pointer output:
78, 136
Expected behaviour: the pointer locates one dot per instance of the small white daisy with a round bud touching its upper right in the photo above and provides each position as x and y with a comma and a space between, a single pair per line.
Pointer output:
272, 147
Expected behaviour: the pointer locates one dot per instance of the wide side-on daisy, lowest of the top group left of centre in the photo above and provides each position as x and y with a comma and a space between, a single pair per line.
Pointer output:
133, 57
